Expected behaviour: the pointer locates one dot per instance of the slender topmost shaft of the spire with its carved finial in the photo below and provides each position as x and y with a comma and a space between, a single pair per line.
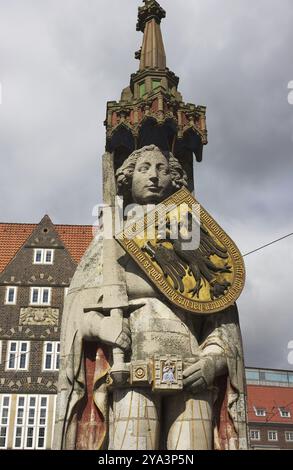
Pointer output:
152, 54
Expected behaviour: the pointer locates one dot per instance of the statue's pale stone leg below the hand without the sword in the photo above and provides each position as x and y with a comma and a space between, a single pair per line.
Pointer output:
189, 421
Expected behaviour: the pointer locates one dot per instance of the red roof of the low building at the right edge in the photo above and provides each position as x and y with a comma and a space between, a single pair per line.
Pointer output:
270, 399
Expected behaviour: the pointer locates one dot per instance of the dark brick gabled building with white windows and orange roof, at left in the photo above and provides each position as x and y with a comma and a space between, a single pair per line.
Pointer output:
37, 263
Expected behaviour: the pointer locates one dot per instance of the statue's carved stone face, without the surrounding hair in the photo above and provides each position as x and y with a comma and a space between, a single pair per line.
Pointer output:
151, 182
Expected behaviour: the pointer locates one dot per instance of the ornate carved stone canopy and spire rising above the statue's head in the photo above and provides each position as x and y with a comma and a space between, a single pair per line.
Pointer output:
151, 109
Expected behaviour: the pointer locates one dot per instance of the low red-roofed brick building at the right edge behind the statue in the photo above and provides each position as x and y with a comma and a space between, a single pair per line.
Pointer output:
270, 408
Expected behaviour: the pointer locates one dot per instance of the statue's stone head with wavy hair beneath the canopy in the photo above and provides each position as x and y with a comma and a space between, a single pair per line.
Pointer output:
149, 175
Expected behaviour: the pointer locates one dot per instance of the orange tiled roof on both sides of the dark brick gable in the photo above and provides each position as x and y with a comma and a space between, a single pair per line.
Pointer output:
76, 239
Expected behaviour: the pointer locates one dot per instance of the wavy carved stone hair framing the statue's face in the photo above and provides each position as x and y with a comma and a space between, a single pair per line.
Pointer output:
124, 174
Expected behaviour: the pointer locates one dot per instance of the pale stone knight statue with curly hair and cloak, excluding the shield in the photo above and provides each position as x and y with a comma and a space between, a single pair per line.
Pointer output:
208, 411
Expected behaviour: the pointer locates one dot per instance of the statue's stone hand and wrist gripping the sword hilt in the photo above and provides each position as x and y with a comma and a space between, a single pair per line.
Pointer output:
108, 330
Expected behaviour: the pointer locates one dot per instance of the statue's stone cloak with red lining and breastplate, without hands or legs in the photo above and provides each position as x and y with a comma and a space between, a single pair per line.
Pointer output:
82, 416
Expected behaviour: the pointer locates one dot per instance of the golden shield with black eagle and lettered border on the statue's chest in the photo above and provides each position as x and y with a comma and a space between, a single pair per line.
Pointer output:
186, 254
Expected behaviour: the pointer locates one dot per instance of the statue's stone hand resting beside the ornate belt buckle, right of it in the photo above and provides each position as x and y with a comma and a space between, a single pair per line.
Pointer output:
201, 375
